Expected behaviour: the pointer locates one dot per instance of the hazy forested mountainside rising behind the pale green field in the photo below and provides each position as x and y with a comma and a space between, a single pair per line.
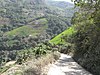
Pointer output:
23, 12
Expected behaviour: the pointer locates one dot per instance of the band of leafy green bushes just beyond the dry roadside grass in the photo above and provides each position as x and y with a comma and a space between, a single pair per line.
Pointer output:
25, 54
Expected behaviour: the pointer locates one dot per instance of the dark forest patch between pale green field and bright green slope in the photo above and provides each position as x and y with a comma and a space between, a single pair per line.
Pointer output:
56, 25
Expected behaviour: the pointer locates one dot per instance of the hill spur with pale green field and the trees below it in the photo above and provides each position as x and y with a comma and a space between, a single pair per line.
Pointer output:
23, 37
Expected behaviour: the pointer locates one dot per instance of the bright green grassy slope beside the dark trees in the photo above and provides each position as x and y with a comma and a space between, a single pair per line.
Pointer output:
58, 39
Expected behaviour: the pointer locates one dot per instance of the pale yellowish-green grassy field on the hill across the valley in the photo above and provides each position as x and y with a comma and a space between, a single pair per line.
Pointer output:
25, 31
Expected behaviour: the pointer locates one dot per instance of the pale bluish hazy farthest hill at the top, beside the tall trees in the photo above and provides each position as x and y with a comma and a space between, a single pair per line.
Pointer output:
68, 7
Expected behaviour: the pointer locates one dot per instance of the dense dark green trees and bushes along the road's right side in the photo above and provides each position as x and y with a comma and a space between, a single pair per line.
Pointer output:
85, 42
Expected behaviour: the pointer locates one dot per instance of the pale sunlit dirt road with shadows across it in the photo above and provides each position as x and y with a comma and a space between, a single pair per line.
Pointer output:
67, 66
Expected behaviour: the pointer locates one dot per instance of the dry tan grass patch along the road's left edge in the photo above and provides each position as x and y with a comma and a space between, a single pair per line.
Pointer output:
38, 66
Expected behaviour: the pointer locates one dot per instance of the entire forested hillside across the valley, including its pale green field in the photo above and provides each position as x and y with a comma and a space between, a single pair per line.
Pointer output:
24, 18
